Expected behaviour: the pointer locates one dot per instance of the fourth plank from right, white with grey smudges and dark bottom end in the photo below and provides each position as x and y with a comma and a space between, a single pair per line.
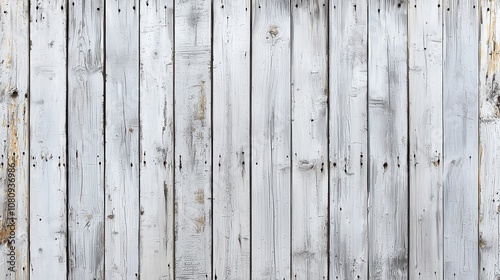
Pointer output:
388, 175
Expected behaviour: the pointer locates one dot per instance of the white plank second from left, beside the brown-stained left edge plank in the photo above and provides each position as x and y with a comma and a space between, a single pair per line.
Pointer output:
48, 140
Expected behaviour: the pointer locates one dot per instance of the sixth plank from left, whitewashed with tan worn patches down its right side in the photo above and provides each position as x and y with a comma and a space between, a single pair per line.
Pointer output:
193, 151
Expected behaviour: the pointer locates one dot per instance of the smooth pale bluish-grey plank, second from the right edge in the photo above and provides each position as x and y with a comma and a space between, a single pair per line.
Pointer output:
460, 127
